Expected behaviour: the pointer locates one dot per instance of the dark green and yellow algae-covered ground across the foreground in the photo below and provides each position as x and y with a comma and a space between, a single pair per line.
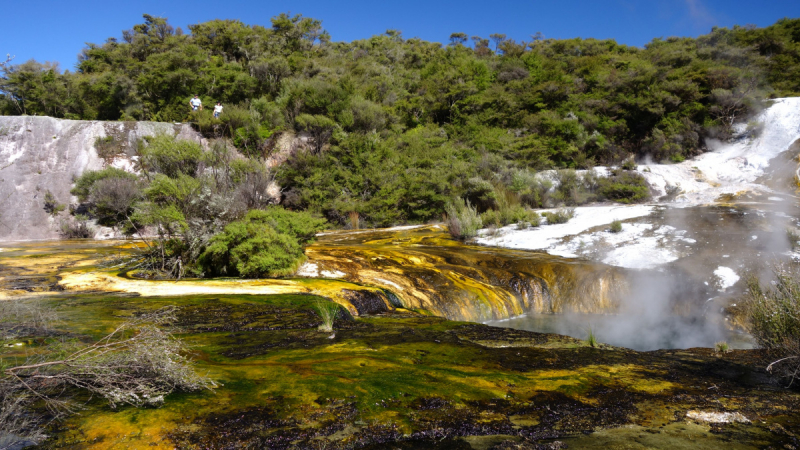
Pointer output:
403, 380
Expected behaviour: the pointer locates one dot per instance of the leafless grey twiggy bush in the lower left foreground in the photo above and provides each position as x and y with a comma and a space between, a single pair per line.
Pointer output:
138, 364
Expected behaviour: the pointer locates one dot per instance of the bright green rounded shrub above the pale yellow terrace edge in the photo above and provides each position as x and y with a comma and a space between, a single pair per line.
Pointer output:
266, 243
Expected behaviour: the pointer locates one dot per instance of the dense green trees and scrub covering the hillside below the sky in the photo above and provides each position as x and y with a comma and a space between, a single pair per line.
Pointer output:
399, 128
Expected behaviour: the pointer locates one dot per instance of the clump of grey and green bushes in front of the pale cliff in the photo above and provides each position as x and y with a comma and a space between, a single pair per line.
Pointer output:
183, 200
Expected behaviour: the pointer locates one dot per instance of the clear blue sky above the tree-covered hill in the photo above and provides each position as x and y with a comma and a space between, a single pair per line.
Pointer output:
57, 30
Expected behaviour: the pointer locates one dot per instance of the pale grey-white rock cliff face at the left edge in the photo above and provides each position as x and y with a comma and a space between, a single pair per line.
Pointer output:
40, 154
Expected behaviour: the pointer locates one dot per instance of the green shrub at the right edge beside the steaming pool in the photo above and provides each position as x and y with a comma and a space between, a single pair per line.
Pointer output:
774, 318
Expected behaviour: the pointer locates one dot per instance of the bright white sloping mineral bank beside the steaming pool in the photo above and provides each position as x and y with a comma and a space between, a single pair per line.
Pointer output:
731, 168
